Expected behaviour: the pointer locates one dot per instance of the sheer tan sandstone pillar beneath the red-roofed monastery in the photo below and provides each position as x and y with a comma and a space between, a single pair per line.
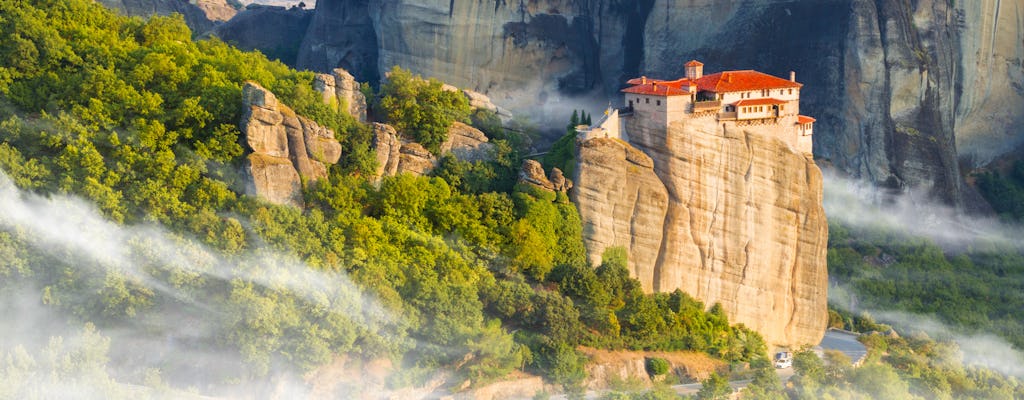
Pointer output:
730, 216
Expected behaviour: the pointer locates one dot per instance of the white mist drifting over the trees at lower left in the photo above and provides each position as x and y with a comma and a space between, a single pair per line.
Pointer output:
144, 348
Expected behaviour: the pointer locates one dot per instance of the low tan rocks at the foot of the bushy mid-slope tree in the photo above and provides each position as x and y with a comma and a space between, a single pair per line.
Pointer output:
397, 155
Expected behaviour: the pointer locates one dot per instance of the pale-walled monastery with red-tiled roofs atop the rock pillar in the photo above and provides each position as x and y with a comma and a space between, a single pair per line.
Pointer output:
747, 100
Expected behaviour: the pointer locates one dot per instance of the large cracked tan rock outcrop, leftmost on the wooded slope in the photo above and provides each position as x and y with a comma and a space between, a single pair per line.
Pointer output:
287, 149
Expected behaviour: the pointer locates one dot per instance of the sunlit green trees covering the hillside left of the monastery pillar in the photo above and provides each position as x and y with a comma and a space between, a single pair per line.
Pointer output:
141, 121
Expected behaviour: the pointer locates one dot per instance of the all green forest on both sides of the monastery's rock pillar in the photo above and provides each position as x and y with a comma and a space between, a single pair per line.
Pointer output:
464, 274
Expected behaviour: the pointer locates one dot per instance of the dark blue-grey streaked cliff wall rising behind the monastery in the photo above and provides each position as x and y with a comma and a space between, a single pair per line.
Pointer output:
904, 91
